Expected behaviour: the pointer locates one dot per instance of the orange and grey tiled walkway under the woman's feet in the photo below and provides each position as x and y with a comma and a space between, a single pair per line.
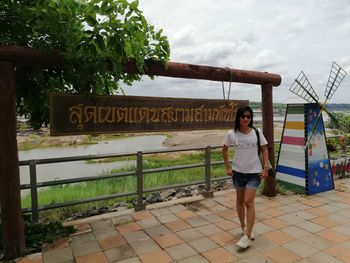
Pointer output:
288, 229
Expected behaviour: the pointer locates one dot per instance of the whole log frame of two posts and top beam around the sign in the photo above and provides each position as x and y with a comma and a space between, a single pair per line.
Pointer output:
11, 56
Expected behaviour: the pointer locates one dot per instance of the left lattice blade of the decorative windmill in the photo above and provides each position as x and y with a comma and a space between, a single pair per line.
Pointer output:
302, 88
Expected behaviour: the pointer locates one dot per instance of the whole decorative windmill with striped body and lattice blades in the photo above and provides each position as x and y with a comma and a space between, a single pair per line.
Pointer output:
303, 160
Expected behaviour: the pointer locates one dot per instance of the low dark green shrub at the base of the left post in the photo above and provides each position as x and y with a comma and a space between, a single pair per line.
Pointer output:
38, 234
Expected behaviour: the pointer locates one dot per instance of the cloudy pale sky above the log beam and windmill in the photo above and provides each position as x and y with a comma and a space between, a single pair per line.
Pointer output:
276, 36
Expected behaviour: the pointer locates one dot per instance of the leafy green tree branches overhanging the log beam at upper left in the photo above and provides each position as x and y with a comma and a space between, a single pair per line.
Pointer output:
96, 38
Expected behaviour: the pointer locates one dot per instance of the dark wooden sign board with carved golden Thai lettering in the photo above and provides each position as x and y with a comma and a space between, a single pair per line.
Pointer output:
75, 114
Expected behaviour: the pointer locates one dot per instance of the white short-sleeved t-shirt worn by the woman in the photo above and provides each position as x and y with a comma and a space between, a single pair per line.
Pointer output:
245, 159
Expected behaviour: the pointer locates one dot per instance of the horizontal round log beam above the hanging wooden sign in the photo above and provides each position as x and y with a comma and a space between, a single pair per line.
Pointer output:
32, 57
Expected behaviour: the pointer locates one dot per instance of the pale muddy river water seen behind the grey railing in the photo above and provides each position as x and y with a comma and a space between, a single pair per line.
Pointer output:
67, 170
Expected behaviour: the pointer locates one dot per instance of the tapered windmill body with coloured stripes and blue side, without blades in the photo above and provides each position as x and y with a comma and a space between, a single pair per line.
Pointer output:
299, 165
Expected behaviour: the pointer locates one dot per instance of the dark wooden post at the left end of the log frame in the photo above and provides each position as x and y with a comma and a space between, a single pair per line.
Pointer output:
10, 195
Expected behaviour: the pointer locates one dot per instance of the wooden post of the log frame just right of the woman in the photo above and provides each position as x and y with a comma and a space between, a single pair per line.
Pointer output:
267, 120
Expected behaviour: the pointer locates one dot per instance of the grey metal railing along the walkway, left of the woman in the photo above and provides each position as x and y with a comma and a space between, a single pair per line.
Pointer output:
139, 172
